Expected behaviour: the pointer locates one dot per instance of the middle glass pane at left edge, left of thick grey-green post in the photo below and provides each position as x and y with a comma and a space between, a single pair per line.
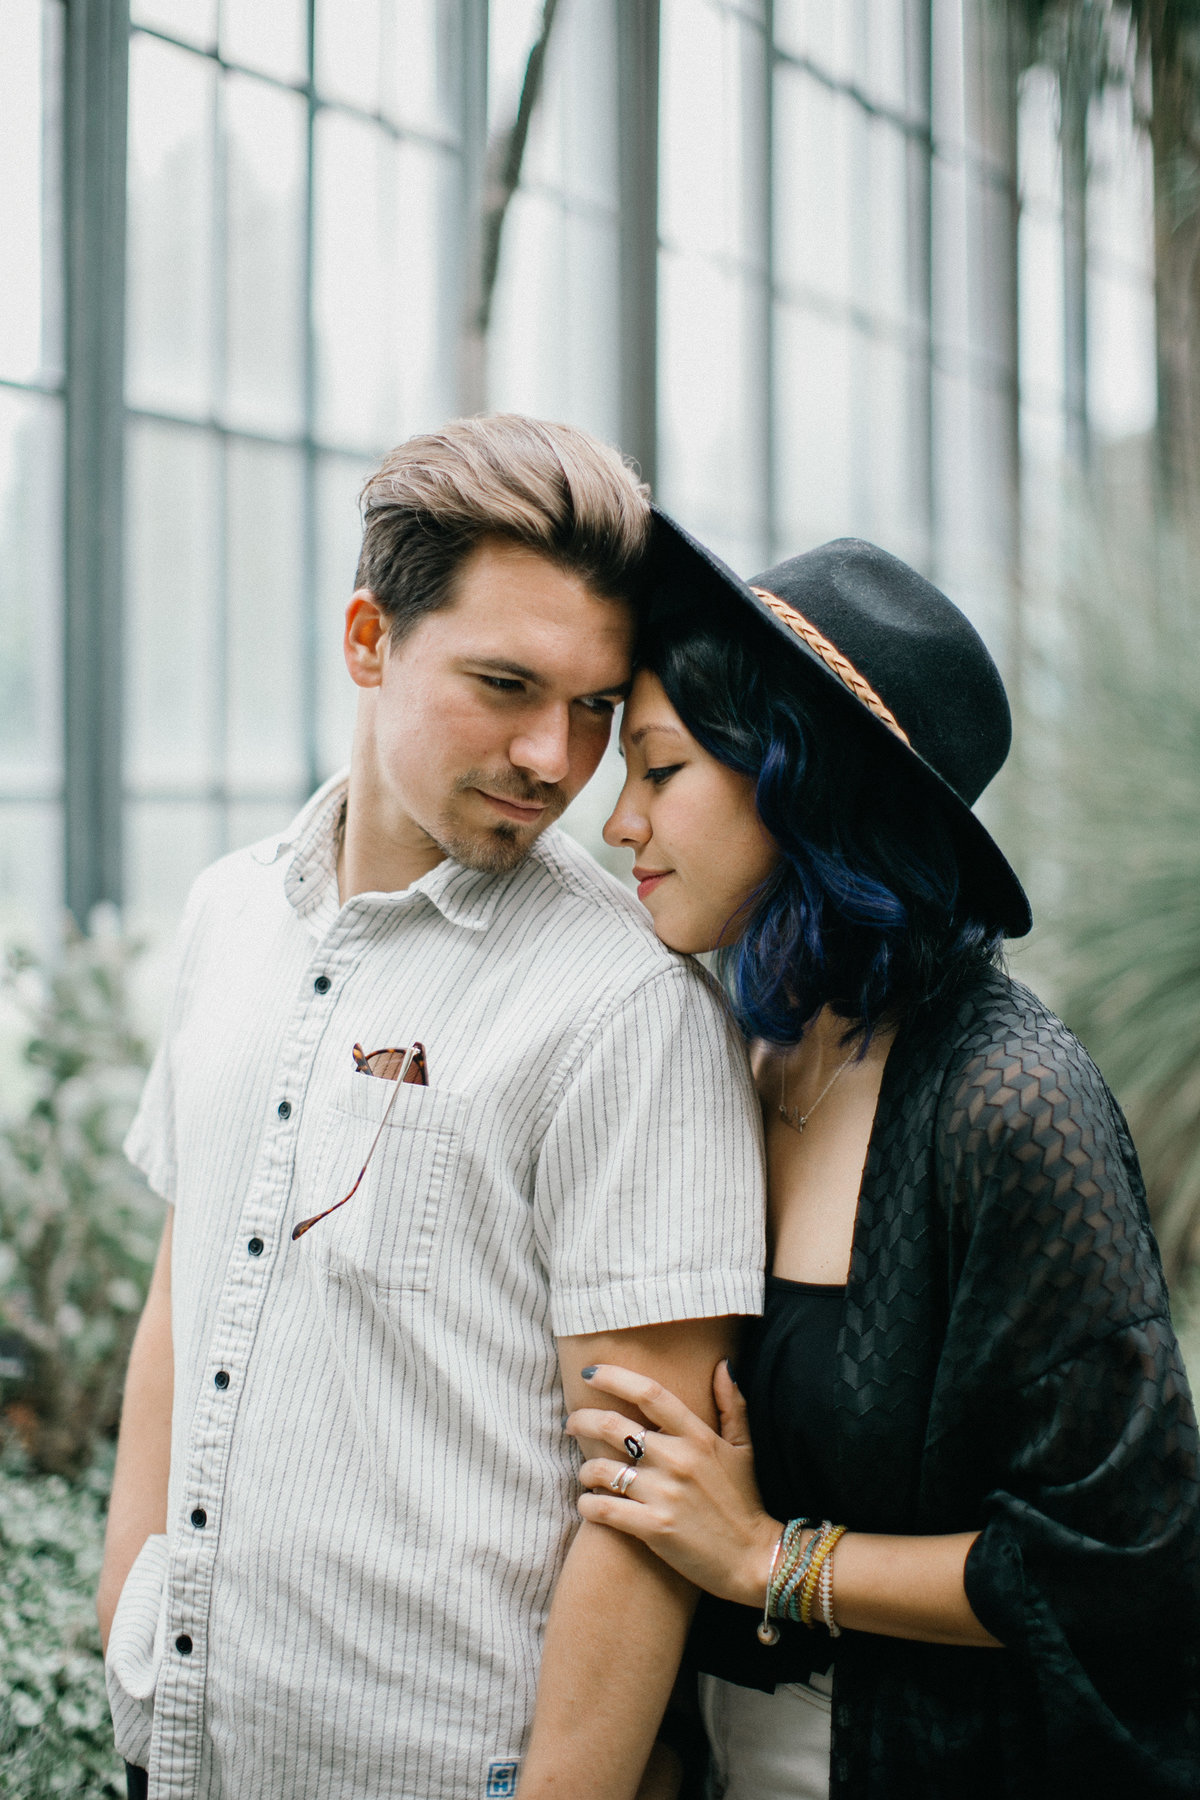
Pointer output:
31, 453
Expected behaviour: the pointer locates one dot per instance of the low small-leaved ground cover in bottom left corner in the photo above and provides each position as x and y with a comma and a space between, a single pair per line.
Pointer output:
57, 1734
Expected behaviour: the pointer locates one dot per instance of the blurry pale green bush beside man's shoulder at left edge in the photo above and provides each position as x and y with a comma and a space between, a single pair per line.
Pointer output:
78, 1227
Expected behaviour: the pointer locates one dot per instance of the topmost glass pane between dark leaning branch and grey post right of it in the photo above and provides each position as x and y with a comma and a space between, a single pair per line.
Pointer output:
573, 141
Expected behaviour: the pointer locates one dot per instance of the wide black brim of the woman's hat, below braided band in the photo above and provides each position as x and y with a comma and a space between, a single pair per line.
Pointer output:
685, 575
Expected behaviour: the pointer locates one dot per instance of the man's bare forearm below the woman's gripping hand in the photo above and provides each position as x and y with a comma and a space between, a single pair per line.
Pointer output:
613, 1650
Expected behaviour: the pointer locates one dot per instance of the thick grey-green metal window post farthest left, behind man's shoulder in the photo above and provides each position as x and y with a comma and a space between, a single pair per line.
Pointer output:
94, 235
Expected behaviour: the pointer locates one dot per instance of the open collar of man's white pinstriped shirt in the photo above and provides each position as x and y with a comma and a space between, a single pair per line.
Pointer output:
463, 897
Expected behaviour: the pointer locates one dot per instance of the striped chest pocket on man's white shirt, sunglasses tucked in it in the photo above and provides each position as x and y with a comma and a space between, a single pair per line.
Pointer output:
386, 1234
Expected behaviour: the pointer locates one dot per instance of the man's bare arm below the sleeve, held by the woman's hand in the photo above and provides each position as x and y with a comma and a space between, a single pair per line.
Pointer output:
620, 1615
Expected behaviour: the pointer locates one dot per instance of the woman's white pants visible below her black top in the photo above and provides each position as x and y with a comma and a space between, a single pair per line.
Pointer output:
767, 1747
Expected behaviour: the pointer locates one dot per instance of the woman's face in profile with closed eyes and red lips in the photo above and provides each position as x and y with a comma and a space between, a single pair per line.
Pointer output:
699, 845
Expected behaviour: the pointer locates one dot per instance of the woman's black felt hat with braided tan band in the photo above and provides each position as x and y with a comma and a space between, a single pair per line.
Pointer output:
882, 643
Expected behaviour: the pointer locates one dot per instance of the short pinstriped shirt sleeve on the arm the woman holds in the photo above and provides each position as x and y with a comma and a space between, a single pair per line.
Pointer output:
650, 1191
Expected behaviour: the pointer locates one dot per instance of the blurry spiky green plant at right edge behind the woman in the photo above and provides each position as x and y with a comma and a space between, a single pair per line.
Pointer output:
1120, 775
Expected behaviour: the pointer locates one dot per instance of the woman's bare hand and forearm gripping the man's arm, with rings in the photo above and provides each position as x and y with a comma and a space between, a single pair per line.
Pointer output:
695, 1504
